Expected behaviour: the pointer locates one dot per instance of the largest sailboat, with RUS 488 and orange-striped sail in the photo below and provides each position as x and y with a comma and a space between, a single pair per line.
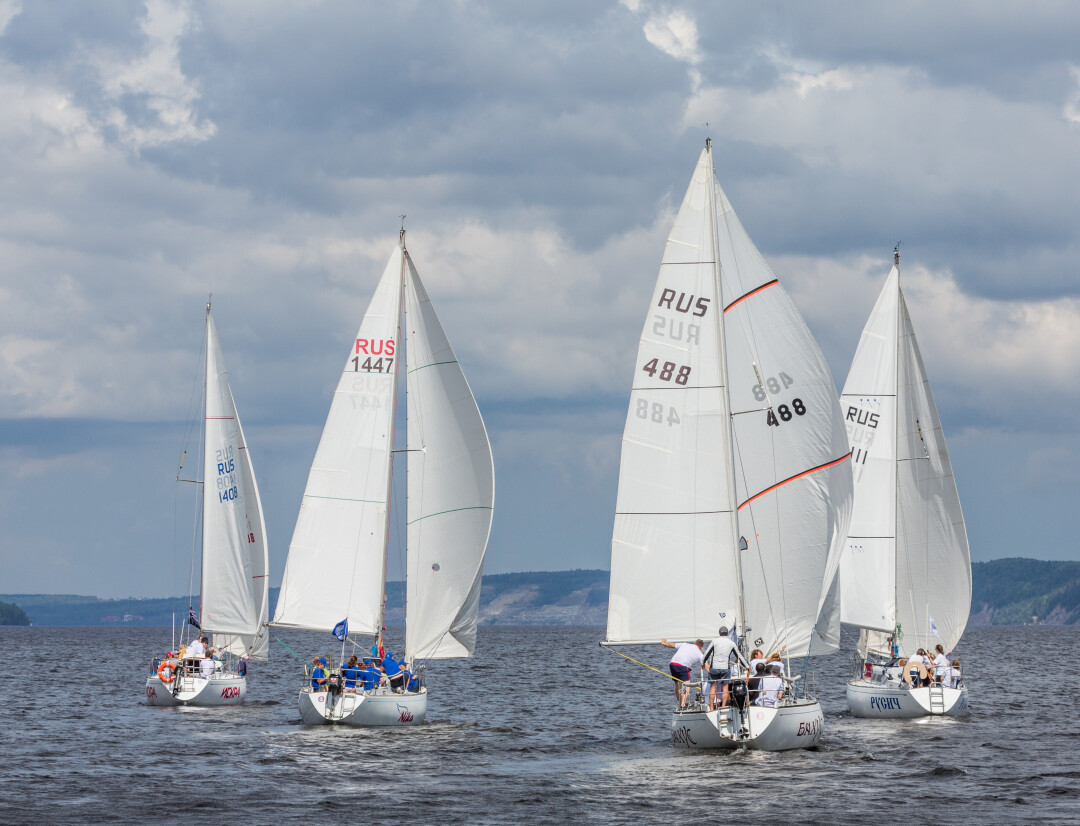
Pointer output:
735, 484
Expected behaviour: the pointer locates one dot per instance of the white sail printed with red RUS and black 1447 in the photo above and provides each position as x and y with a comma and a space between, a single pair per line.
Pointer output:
336, 565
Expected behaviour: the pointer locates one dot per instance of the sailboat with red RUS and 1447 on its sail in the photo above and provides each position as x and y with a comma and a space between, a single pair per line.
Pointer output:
335, 576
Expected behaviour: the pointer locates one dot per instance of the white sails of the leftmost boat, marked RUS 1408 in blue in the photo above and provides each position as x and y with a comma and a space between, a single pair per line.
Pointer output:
234, 590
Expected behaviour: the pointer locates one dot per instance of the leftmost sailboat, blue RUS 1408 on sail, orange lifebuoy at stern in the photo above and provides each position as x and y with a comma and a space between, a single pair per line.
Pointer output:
234, 590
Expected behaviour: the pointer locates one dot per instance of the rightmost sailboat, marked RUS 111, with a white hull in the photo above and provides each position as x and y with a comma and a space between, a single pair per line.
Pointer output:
907, 572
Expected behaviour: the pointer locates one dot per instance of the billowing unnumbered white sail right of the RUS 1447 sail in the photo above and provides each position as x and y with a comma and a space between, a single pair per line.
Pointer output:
451, 490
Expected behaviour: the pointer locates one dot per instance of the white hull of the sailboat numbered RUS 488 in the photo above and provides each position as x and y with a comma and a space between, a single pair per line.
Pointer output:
796, 726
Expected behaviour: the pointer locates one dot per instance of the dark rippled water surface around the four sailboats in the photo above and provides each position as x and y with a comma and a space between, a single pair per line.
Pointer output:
543, 727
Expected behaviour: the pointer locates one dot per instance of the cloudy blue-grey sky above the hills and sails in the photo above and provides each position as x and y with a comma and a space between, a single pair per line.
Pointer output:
155, 153
